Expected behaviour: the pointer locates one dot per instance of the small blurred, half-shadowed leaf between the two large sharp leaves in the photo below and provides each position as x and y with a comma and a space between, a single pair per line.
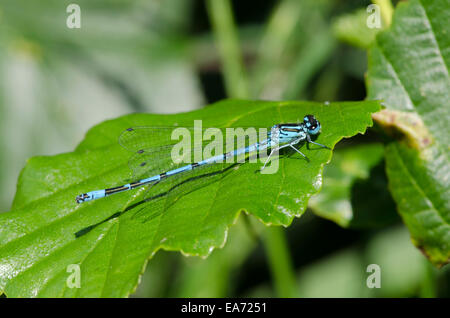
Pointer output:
355, 192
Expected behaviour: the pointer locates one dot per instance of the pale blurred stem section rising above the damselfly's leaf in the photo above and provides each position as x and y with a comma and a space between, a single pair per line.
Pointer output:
221, 17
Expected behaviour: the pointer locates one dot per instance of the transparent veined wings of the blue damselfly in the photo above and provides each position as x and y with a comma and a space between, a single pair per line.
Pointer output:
153, 153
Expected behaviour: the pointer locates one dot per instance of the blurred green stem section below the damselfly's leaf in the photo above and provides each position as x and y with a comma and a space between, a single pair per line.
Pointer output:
280, 262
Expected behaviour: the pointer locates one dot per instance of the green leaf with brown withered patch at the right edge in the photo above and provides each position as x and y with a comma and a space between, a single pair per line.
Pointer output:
408, 68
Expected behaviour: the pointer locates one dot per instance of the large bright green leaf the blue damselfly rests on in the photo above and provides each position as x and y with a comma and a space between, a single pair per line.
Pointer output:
37, 238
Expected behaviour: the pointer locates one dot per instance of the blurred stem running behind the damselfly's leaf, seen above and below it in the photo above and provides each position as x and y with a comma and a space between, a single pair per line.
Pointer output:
221, 17
